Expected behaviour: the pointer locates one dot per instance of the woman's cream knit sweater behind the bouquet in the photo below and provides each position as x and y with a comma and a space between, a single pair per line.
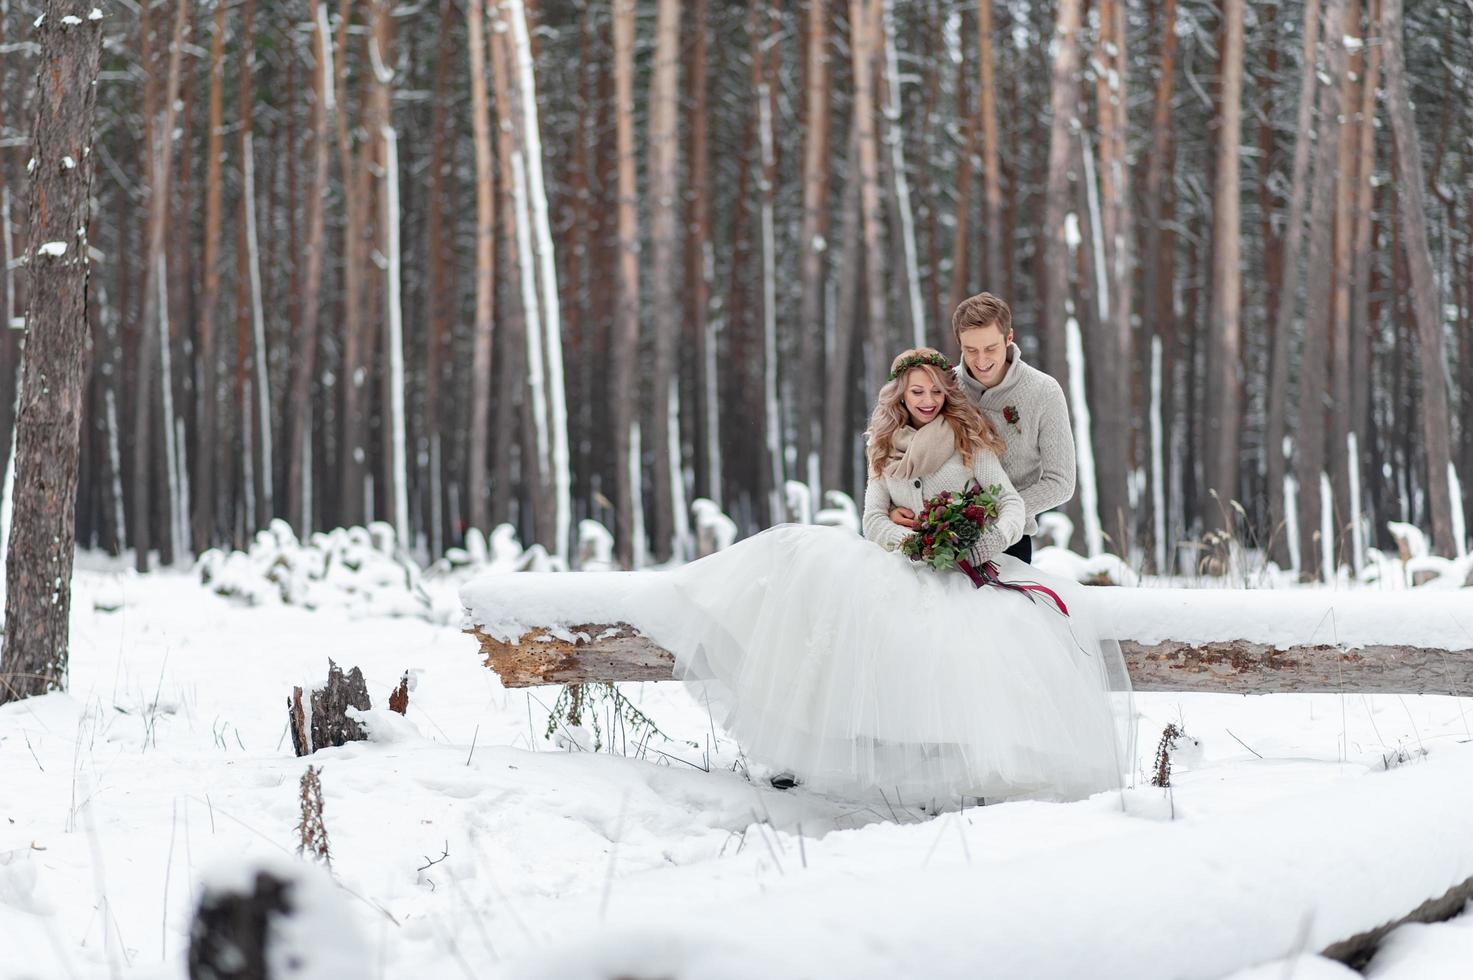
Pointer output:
885, 493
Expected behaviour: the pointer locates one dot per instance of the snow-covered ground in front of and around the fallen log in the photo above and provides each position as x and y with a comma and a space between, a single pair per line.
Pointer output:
466, 844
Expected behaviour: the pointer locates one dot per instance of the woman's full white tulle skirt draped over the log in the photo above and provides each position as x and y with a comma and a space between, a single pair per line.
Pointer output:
861, 671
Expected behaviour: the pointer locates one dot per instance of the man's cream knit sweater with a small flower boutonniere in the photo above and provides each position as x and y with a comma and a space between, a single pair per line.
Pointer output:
1041, 444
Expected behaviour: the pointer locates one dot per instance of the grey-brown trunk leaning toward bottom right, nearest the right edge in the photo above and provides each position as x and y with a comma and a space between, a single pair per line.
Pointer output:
1425, 303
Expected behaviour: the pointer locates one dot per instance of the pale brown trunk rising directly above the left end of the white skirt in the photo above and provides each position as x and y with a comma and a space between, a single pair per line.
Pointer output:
664, 164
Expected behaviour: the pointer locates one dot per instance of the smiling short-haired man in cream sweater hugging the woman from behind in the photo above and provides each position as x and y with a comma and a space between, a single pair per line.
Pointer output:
1024, 405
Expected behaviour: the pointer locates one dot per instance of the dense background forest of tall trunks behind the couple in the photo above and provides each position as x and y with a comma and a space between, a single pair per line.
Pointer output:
459, 263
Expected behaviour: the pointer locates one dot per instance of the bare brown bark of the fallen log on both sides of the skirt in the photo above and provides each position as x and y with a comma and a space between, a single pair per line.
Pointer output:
619, 652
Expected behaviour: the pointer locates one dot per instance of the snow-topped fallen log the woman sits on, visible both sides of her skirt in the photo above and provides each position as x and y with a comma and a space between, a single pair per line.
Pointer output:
587, 629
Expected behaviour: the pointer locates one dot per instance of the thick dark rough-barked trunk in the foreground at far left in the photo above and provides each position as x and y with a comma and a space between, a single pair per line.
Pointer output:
42, 543
